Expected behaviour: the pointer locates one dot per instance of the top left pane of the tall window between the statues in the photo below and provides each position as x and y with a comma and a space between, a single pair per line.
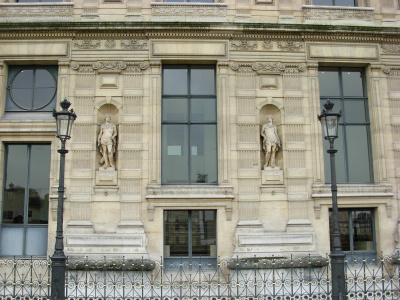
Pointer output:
175, 82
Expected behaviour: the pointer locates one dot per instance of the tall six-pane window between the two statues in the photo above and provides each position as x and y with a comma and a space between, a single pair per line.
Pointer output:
189, 125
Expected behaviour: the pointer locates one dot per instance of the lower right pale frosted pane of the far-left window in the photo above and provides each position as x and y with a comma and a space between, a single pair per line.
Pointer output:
36, 241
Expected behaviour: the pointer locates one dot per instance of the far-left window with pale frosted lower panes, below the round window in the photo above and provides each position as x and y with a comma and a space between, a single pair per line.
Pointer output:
25, 200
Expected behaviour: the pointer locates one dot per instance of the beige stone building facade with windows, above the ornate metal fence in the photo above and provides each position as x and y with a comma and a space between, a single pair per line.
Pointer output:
188, 86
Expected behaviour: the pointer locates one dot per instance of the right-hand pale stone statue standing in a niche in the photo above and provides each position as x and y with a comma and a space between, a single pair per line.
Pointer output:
271, 142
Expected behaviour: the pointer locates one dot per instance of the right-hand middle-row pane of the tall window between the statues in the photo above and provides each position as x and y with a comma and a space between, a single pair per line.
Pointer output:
203, 110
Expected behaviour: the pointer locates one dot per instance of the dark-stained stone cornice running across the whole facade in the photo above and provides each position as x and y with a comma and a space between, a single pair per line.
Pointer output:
193, 30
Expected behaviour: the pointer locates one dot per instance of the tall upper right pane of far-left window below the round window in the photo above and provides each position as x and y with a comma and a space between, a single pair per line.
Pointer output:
39, 184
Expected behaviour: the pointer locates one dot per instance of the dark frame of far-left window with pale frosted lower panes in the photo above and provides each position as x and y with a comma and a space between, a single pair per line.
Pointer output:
25, 225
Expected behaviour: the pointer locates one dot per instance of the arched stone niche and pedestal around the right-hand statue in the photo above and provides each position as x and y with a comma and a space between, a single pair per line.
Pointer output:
271, 174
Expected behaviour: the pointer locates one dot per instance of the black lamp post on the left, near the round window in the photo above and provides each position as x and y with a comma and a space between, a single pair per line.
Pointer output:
64, 121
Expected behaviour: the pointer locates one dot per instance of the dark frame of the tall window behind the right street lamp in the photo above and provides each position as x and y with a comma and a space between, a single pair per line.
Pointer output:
344, 125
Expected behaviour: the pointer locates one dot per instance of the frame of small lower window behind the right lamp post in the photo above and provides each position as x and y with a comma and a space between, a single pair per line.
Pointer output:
351, 230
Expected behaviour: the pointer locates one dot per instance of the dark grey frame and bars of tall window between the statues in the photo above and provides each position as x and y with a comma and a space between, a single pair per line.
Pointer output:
189, 123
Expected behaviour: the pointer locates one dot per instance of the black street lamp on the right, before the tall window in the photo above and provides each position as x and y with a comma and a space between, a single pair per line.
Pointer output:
330, 122
